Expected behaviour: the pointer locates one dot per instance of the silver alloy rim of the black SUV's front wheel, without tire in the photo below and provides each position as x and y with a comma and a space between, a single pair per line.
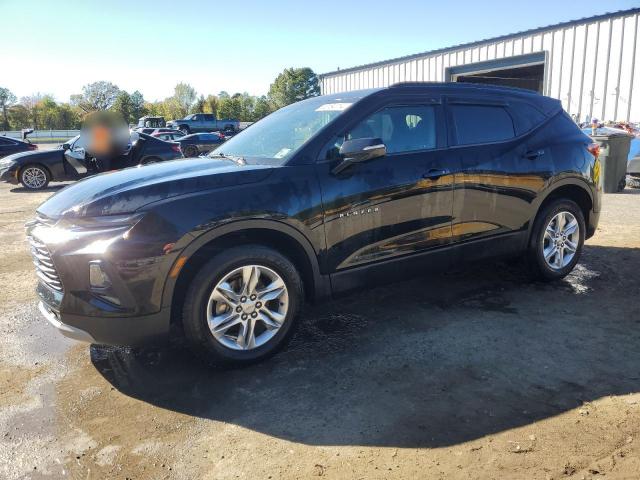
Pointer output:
247, 307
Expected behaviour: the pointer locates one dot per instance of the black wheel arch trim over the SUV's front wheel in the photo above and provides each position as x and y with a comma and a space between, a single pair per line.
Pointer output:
283, 238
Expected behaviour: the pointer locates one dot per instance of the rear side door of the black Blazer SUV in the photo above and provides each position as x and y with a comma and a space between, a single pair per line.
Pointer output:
498, 181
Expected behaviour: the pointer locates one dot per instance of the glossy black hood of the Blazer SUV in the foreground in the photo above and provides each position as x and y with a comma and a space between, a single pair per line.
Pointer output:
128, 190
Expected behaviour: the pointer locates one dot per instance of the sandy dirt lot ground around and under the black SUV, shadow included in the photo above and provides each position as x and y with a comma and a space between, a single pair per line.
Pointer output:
472, 374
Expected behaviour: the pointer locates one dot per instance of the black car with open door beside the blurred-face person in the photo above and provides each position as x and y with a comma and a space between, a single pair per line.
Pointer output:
34, 170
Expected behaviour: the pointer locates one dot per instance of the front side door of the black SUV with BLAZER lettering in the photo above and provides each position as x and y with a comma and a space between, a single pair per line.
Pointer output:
395, 205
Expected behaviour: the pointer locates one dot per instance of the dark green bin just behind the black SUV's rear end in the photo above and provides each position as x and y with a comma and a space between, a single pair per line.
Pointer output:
614, 150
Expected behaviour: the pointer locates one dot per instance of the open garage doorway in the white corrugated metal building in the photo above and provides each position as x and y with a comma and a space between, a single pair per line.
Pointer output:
525, 71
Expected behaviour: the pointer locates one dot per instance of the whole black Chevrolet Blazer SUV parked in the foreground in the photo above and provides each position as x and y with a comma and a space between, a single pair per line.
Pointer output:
323, 196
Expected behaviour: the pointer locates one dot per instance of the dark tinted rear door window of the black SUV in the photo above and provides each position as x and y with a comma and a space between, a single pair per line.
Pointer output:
476, 124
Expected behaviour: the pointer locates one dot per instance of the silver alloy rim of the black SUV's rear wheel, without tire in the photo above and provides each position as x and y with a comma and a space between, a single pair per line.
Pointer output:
561, 240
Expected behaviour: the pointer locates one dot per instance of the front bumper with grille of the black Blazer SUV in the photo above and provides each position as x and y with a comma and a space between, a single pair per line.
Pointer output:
128, 311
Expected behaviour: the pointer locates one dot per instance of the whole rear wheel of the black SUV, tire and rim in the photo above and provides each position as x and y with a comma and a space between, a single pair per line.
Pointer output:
568, 246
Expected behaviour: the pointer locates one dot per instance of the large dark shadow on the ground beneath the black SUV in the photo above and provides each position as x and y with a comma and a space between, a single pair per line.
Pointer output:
426, 363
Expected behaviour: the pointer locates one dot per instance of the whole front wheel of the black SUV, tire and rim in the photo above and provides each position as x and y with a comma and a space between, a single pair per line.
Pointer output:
228, 347
